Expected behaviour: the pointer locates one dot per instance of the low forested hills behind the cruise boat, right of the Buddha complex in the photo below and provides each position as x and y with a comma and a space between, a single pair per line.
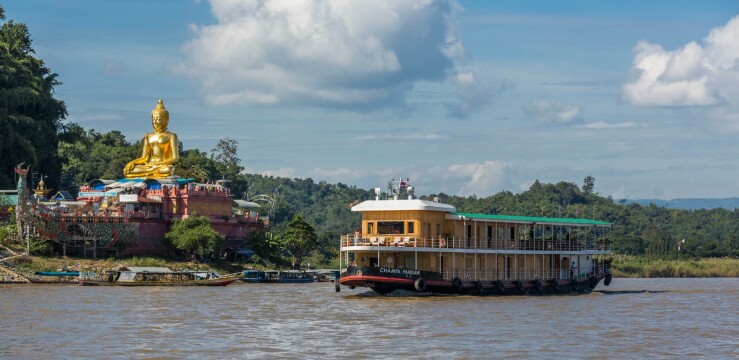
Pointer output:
637, 230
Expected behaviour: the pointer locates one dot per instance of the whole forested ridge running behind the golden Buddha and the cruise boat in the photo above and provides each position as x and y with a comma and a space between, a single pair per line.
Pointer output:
637, 230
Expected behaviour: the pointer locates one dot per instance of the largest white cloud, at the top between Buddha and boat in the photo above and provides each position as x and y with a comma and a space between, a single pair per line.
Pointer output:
321, 52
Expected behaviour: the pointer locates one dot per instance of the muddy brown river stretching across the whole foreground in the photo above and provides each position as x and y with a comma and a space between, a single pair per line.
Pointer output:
633, 318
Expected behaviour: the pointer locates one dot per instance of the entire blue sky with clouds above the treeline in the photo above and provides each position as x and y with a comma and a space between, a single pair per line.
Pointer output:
460, 97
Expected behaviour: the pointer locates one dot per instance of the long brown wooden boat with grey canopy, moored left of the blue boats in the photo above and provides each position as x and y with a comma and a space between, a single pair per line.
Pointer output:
157, 277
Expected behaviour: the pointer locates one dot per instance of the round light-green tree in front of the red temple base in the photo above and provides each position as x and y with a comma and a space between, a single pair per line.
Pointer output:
195, 236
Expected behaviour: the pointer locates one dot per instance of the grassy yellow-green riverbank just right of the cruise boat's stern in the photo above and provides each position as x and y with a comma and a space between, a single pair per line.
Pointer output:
642, 267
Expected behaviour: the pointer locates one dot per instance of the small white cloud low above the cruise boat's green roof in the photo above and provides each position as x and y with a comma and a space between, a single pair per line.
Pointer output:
484, 178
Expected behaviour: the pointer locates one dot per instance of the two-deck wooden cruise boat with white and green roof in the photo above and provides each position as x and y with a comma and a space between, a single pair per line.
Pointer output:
427, 246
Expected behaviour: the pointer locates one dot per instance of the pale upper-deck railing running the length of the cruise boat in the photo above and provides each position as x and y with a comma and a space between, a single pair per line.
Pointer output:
476, 243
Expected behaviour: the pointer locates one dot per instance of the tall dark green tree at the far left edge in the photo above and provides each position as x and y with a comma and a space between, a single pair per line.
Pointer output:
30, 116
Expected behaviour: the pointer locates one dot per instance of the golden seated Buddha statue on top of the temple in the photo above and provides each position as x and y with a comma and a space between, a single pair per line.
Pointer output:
161, 149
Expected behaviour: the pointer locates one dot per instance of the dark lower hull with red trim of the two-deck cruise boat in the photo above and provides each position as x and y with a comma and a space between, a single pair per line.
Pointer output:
384, 280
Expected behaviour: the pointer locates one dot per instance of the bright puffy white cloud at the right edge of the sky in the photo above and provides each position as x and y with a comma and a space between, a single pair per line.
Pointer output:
693, 75
